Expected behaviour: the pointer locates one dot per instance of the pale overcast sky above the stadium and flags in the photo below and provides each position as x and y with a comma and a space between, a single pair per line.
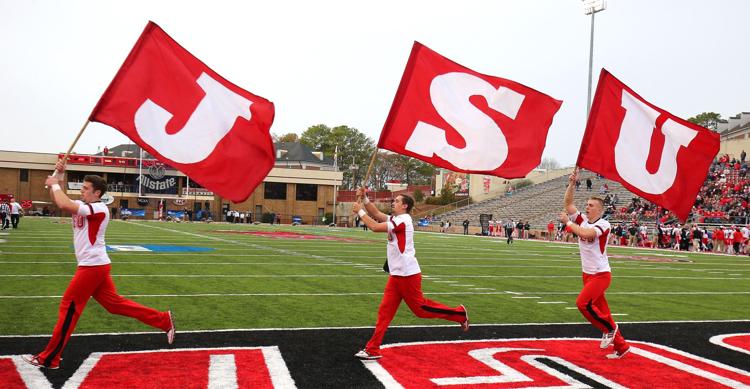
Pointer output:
340, 62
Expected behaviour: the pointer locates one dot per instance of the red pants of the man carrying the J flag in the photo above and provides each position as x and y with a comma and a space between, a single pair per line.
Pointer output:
94, 281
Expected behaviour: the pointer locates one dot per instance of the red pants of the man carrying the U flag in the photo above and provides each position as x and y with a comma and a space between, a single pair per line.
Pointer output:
594, 307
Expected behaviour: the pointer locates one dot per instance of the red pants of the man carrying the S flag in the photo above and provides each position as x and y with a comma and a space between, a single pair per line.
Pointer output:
409, 289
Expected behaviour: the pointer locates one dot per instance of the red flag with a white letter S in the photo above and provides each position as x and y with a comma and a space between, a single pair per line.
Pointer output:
458, 119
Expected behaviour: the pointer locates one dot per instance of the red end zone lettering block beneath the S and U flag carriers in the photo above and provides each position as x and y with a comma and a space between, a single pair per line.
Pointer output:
520, 363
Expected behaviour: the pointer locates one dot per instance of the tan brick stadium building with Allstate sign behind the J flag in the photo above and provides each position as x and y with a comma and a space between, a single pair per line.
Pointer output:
300, 186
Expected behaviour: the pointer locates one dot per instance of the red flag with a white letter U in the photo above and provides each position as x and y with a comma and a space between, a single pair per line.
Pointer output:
654, 154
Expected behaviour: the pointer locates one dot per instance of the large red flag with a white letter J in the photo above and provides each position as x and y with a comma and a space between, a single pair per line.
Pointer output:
189, 117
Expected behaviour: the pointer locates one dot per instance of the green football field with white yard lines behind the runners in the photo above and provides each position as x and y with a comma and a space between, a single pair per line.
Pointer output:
274, 279
